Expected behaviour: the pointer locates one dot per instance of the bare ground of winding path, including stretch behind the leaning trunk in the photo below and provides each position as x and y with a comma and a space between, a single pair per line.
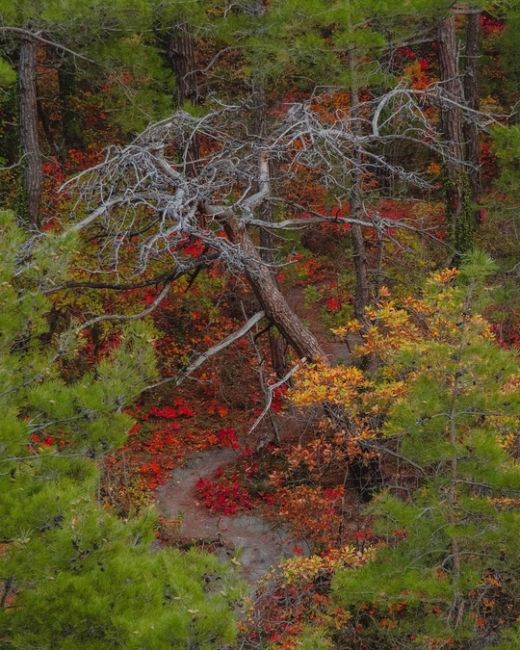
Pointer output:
248, 539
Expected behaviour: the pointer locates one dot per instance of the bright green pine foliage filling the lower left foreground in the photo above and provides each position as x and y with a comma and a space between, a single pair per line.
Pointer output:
72, 574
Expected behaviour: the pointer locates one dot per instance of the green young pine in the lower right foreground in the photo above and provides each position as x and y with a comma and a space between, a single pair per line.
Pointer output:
459, 535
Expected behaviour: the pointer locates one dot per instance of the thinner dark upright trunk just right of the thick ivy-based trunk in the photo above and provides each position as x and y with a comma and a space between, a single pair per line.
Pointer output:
472, 94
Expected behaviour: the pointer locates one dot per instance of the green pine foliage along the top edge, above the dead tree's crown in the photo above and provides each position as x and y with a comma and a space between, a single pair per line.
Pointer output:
304, 43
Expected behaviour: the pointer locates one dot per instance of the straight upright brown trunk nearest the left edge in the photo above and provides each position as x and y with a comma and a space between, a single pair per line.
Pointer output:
29, 133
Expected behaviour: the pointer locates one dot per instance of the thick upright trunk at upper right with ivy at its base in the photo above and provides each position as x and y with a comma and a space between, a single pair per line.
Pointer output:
452, 118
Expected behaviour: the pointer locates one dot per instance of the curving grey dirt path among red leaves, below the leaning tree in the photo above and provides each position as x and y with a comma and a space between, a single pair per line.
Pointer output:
256, 544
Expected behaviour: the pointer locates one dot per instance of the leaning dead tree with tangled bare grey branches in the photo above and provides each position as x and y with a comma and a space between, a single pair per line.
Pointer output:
145, 197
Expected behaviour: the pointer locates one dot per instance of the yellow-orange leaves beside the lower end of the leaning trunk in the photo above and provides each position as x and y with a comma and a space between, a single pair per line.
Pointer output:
401, 335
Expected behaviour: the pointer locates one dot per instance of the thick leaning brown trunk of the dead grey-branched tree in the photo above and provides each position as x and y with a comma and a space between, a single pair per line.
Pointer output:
272, 301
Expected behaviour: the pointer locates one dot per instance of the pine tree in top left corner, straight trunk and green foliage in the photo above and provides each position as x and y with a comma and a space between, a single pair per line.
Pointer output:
87, 41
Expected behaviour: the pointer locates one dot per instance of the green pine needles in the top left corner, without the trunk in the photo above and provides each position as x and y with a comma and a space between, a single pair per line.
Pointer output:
118, 39
